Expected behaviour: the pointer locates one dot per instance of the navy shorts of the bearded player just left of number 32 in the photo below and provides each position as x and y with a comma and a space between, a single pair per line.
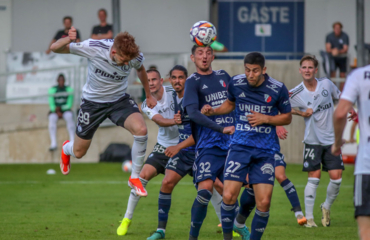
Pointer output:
182, 163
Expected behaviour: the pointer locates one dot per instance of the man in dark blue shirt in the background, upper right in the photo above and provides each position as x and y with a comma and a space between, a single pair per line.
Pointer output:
337, 46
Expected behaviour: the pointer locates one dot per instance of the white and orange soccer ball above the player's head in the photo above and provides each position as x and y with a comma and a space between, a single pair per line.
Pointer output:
203, 33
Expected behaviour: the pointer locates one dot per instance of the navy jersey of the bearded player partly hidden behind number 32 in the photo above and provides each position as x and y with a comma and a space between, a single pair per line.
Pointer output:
184, 128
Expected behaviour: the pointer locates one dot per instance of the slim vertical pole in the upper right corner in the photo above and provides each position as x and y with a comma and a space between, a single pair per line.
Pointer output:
360, 19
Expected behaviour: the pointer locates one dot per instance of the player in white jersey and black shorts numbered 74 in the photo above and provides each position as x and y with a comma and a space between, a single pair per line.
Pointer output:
314, 98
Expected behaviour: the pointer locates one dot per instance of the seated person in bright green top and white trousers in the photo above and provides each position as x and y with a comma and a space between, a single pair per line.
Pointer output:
60, 107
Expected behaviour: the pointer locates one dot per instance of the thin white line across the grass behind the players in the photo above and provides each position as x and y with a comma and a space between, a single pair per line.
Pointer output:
125, 182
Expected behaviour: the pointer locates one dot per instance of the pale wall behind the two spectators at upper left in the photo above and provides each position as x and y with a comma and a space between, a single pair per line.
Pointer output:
35, 22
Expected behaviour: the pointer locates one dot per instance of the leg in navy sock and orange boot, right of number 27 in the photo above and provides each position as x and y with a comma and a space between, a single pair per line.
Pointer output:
290, 191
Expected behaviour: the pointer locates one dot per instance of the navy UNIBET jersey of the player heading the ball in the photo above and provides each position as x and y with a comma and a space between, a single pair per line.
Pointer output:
212, 90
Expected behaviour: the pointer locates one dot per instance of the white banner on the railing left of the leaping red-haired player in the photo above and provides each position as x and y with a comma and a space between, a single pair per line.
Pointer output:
36, 82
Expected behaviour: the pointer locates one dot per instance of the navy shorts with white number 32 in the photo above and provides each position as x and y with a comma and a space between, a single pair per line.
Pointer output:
209, 164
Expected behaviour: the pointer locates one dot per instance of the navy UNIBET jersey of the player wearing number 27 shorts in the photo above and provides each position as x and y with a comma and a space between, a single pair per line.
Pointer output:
270, 98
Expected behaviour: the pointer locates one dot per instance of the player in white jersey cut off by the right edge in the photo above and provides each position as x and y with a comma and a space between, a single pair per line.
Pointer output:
357, 88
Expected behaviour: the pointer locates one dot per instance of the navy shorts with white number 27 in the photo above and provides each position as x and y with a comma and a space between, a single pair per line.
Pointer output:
257, 163
